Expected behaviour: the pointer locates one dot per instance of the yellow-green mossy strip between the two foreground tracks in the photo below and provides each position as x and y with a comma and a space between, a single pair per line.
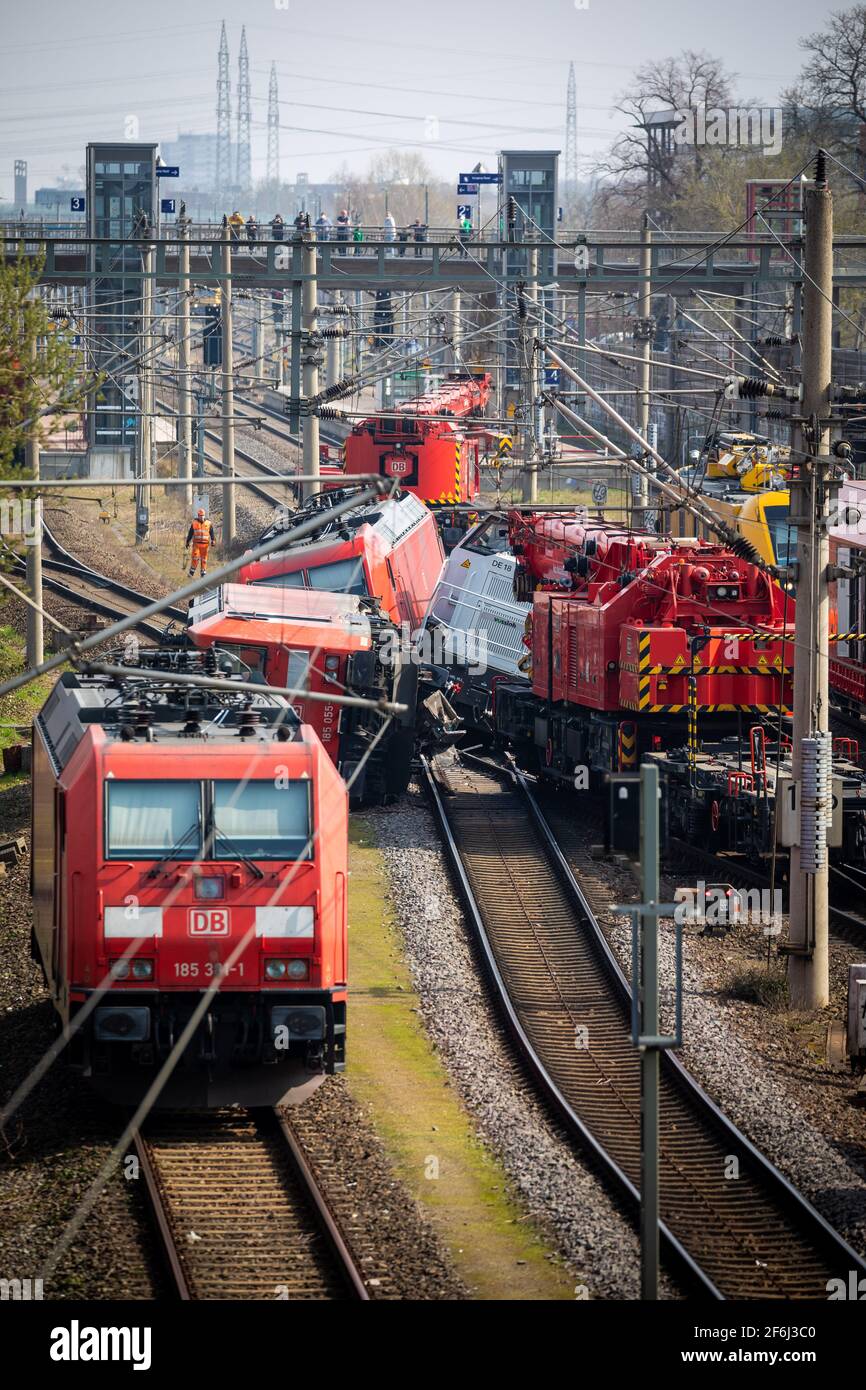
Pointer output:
432, 1140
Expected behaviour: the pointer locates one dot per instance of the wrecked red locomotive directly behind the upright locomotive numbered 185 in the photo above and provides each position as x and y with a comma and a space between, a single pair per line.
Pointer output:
323, 644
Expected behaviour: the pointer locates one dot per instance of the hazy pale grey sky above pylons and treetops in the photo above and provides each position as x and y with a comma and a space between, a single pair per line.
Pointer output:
454, 80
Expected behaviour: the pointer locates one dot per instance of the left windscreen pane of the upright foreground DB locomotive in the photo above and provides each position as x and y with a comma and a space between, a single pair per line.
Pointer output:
154, 819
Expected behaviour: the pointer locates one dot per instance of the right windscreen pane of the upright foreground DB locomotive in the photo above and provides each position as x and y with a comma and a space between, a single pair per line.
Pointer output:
262, 821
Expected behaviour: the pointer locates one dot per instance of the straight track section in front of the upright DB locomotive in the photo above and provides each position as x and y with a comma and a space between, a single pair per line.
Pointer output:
240, 1211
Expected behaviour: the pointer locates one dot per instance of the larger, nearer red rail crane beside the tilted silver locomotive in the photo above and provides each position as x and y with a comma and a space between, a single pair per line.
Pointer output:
675, 650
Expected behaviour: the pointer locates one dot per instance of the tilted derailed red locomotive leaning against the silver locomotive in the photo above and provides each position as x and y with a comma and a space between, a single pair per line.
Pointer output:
387, 551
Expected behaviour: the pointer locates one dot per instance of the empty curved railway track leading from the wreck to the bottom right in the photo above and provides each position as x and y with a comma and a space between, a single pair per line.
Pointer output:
554, 975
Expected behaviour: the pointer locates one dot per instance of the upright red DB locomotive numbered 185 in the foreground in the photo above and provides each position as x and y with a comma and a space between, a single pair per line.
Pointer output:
190, 854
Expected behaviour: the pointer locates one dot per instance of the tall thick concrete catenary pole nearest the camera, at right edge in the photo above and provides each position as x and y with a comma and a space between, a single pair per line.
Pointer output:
808, 946
